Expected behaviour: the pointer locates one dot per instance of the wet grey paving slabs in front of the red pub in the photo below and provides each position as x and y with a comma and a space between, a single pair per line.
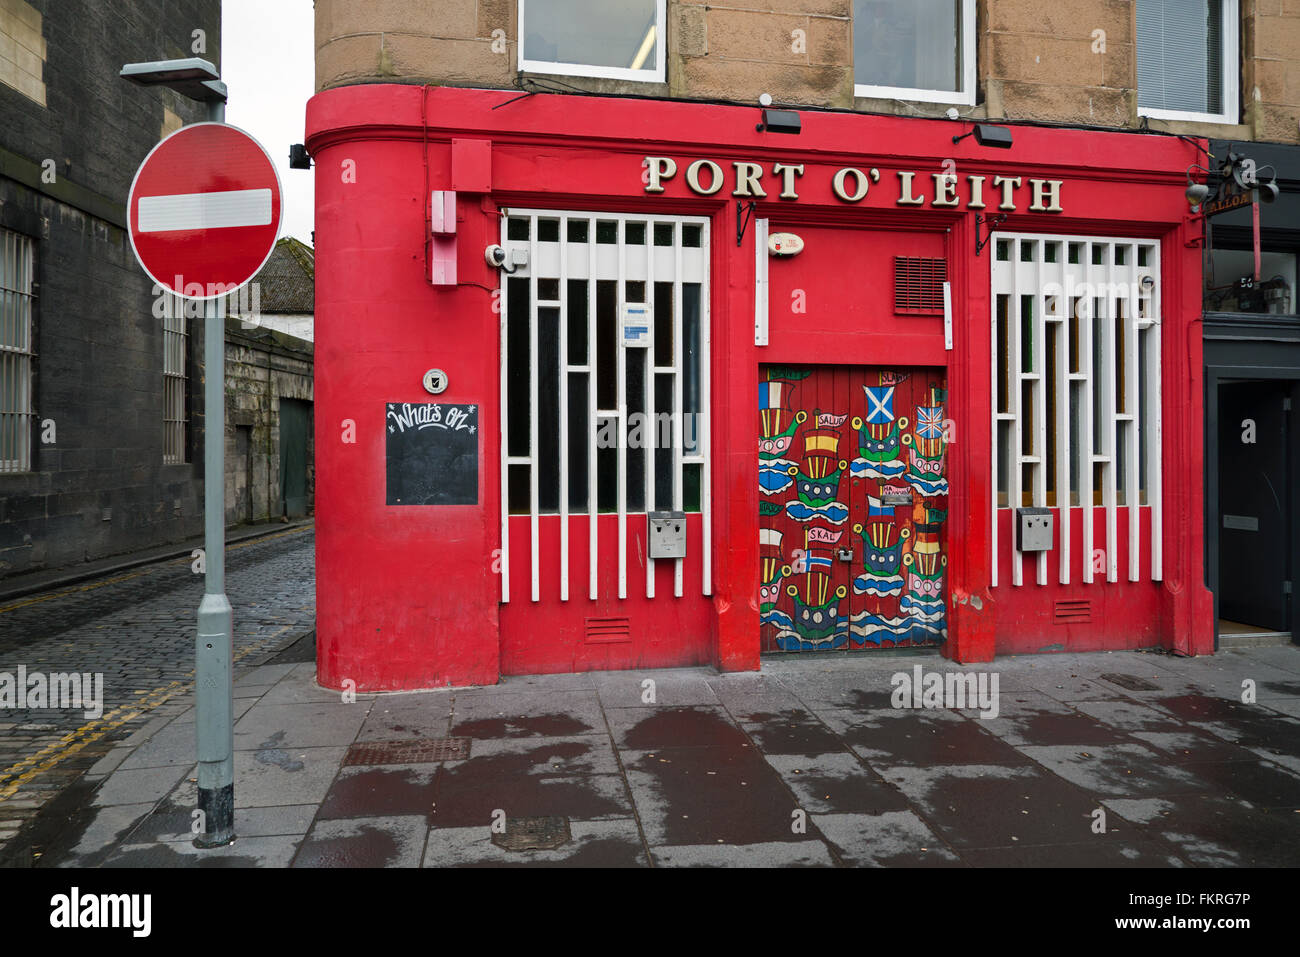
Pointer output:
1100, 760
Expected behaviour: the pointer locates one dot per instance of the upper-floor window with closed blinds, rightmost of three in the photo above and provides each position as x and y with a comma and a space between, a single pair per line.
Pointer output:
1188, 62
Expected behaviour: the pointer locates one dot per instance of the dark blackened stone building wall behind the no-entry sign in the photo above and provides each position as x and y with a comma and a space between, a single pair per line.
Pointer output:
99, 347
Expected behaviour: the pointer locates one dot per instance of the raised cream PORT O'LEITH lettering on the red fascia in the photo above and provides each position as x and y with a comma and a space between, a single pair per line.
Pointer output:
851, 185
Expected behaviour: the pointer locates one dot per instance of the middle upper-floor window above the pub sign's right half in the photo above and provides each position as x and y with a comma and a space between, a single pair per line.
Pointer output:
915, 50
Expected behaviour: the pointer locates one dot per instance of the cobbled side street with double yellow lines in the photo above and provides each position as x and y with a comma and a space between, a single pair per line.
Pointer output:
137, 629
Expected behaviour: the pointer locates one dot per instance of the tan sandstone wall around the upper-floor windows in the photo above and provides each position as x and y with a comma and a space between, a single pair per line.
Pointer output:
1063, 63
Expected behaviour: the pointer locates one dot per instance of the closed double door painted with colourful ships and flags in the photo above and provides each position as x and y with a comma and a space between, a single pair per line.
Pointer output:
852, 551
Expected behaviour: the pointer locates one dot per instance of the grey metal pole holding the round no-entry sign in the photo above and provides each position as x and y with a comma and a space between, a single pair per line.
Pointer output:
213, 675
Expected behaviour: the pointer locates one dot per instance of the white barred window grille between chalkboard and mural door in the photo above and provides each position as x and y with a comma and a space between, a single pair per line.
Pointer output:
591, 426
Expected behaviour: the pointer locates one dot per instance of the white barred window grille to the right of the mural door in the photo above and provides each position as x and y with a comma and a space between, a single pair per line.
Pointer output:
1076, 371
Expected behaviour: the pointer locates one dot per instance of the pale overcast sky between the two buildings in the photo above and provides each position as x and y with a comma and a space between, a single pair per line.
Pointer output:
267, 53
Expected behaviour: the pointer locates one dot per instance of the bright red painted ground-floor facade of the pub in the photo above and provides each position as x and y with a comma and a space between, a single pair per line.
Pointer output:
409, 597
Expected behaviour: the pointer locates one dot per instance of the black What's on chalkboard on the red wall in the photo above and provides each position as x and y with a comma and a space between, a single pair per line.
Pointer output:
432, 454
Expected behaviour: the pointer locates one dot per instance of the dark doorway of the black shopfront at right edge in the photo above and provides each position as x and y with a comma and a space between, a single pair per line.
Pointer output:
1255, 508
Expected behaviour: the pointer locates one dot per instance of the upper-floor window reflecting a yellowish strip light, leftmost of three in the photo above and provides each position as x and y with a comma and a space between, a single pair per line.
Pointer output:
614, 40
